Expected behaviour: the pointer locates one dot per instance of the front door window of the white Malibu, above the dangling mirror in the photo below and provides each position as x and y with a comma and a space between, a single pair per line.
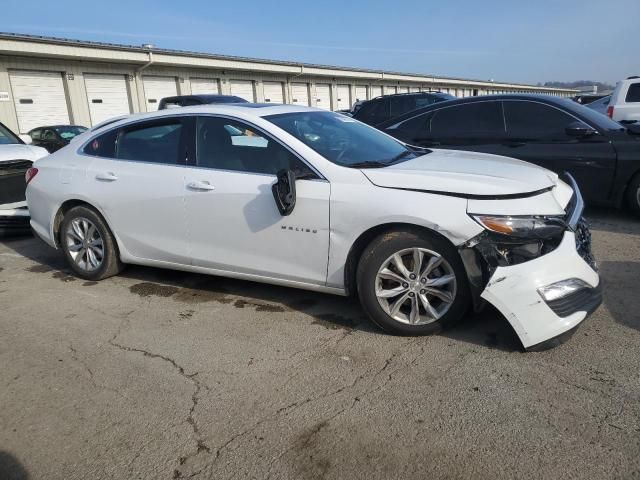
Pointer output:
227, 144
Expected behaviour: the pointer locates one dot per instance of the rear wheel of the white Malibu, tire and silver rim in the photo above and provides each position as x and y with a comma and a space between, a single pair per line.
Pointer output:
83, 222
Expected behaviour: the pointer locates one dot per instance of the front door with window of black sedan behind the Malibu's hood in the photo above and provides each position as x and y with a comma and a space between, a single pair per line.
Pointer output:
536, 134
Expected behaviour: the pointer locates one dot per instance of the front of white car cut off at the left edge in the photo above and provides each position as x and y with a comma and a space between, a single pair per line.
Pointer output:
16, 158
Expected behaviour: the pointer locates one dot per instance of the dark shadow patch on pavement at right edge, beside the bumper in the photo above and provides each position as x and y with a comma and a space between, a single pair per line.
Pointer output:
620, 285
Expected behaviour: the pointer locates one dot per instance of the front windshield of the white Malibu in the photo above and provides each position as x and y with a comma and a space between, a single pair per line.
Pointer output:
343, 140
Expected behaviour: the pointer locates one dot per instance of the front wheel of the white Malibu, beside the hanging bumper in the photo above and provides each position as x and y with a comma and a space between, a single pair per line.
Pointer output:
379, 275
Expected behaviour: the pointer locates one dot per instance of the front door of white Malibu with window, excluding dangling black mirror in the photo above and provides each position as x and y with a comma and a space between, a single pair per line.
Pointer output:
233, 222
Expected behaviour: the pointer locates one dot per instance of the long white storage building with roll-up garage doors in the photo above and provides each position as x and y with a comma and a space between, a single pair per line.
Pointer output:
48, 81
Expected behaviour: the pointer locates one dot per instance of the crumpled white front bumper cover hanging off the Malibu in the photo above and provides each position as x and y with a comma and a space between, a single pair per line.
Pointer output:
513, 290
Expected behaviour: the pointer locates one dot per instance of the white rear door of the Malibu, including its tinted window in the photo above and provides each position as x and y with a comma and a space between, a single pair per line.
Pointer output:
136, 177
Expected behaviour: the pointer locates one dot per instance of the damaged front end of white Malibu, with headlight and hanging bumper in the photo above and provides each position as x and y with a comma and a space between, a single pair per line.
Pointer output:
538, 270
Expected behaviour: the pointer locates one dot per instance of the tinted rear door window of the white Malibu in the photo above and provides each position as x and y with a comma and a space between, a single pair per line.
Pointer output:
154, 143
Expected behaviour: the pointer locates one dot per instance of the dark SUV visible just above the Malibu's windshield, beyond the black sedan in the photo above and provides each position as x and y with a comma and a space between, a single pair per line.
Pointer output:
380, 109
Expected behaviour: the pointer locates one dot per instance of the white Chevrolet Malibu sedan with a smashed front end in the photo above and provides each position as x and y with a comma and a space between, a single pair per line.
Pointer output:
316, 200
